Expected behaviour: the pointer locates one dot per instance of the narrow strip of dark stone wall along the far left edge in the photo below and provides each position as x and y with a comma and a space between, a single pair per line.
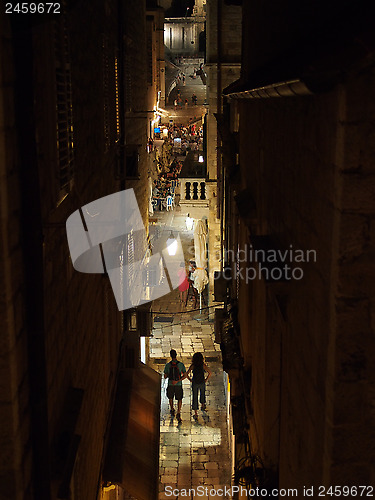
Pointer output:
15, 443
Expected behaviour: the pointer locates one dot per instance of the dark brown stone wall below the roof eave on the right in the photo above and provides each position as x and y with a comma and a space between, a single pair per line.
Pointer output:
308, 163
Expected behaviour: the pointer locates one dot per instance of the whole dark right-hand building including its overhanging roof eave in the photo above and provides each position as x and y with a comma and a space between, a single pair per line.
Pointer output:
299, 173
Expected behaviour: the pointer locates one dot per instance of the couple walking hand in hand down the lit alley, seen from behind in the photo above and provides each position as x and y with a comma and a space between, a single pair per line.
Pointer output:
176, 372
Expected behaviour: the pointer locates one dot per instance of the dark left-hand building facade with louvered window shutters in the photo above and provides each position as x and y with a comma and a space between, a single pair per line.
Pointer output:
74, 129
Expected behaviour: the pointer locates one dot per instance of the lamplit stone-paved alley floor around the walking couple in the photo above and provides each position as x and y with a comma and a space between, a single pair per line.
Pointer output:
191, 453
